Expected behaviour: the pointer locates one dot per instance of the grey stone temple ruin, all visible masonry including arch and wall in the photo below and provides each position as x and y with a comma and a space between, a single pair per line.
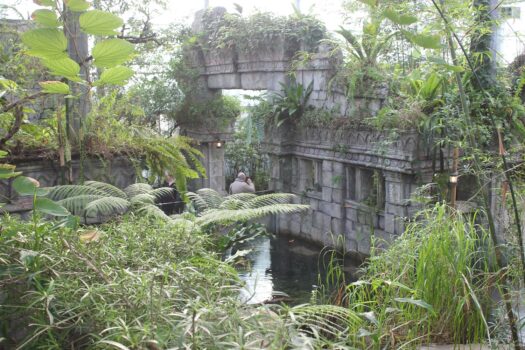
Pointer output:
357, 182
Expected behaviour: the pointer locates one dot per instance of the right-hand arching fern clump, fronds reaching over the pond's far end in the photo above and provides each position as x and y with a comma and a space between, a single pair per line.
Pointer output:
211, 208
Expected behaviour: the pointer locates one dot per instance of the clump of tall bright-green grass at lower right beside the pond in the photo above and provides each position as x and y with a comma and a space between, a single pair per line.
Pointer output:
432, 284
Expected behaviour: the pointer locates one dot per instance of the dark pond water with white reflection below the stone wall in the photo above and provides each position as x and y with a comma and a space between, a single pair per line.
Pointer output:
283, 268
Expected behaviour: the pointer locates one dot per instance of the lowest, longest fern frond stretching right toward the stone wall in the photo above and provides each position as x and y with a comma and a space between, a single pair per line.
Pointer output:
228, 217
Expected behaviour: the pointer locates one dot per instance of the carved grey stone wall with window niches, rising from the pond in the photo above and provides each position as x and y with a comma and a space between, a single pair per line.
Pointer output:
358, 183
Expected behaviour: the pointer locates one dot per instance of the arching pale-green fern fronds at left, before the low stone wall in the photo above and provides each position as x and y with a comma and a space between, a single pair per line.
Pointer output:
95, 201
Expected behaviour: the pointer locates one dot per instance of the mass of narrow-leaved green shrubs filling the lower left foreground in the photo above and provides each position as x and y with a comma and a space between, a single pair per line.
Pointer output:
138, 283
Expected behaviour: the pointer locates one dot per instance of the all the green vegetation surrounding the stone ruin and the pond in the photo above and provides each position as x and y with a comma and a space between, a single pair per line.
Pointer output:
146, 280
